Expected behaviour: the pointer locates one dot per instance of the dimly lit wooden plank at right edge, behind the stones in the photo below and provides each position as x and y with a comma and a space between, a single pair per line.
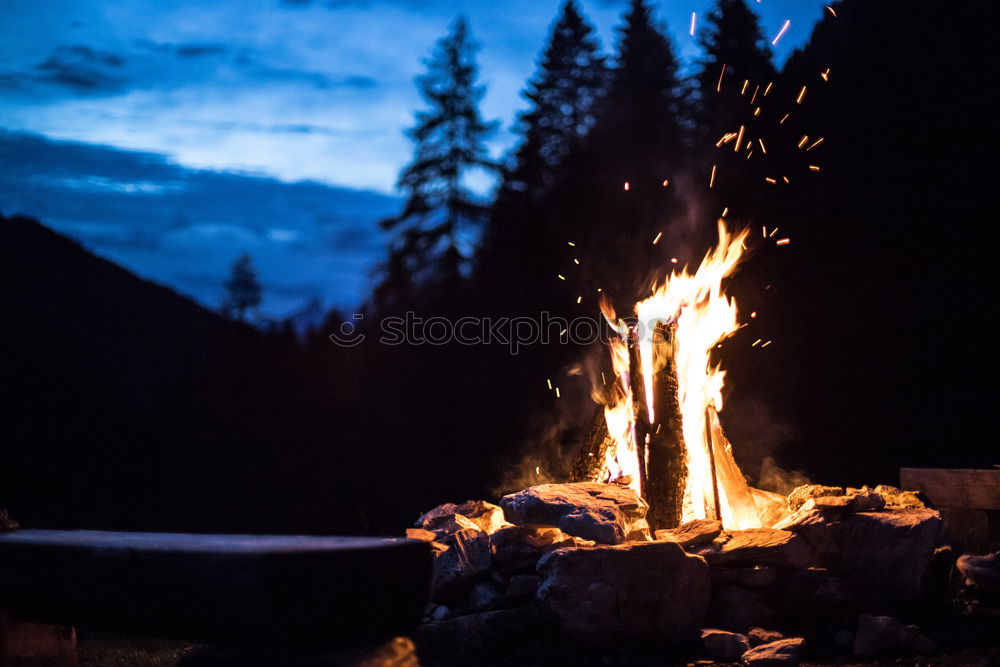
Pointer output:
955, 487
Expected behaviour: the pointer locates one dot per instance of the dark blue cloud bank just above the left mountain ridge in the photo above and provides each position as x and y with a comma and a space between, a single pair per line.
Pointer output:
161, 220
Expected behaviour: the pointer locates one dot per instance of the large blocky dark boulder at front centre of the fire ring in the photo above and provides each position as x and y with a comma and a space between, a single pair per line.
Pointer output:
651, 589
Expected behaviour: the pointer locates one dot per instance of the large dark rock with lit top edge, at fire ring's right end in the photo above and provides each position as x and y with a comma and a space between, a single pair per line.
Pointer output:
884, 555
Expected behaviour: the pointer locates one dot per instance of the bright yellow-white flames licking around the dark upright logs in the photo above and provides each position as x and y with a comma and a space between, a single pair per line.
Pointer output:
701, 315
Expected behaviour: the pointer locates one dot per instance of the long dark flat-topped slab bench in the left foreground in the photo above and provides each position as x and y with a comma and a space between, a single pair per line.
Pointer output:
265, 588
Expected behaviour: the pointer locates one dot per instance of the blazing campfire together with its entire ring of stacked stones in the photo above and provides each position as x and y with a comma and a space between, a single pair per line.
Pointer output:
659, 537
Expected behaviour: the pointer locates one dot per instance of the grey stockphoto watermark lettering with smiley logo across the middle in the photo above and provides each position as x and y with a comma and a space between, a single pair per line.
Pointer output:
512, 332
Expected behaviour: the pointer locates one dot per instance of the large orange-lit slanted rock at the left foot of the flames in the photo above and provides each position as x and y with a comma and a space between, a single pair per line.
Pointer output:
604, 513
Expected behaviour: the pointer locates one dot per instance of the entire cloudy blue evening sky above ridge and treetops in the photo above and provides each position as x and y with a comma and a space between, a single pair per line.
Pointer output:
173, 108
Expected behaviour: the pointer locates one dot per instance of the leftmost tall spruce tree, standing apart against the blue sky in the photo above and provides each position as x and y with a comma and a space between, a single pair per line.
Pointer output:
440, 213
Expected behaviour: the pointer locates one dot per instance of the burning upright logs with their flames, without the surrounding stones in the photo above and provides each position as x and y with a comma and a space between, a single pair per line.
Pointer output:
662, 435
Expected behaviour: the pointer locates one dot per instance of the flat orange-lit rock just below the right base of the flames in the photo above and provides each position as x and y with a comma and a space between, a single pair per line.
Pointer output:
760, 546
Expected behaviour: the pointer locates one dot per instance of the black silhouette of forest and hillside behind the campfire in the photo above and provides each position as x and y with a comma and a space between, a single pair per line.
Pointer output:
872, 150
